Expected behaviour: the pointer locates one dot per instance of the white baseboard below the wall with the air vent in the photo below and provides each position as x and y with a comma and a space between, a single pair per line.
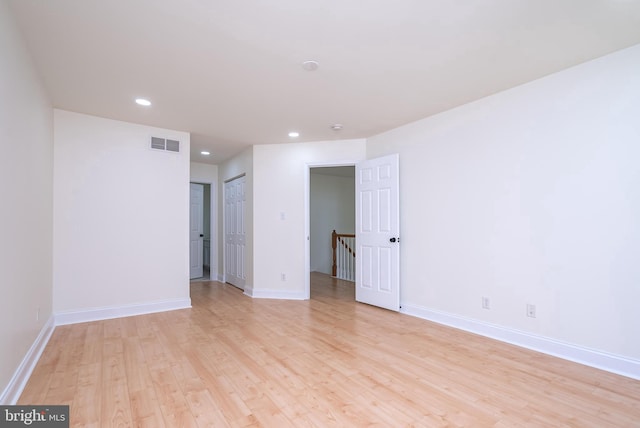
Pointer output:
97, 314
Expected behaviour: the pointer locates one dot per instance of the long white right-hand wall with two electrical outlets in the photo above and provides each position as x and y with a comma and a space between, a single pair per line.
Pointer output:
530, 196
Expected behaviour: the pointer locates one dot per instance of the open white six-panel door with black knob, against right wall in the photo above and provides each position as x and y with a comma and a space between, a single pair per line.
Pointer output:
377, 232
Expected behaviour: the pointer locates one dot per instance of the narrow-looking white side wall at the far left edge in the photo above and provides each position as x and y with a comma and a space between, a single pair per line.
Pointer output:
26, 170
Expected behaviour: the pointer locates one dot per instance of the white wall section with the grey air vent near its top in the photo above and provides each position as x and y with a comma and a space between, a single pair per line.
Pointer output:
121, 215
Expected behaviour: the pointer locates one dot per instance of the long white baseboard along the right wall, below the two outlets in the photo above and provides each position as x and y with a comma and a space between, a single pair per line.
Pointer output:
612, 363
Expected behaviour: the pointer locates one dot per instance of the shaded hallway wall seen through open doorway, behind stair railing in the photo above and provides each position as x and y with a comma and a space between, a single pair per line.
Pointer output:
332, 207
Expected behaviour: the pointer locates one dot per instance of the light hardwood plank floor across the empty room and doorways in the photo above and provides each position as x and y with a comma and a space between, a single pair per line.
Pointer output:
236, 361
